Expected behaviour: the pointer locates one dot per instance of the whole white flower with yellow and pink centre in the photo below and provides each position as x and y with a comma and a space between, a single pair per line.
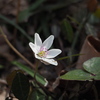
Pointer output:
41, 51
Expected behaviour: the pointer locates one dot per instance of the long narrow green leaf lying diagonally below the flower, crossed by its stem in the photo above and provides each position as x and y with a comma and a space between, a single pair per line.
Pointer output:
38, 77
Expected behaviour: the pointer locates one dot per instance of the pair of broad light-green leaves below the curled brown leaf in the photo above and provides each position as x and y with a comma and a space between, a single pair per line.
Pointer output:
91, 71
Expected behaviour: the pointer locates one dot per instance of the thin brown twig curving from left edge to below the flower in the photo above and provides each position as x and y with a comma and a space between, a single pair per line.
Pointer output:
15, 50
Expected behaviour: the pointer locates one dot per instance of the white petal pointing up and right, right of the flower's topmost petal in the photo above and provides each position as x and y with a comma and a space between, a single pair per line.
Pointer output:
48, 42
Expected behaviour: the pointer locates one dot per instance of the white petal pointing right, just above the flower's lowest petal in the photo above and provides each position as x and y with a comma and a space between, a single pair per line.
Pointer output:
53, 53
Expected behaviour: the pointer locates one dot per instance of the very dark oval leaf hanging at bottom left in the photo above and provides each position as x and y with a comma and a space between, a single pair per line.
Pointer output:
20, 86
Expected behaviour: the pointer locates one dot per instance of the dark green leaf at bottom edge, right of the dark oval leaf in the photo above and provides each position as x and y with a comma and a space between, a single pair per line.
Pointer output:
37, 95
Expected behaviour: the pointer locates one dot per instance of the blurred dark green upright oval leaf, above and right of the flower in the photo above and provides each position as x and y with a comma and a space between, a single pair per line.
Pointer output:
67, 29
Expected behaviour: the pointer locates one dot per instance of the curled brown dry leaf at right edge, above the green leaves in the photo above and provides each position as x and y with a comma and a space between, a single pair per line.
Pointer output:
90, 48
